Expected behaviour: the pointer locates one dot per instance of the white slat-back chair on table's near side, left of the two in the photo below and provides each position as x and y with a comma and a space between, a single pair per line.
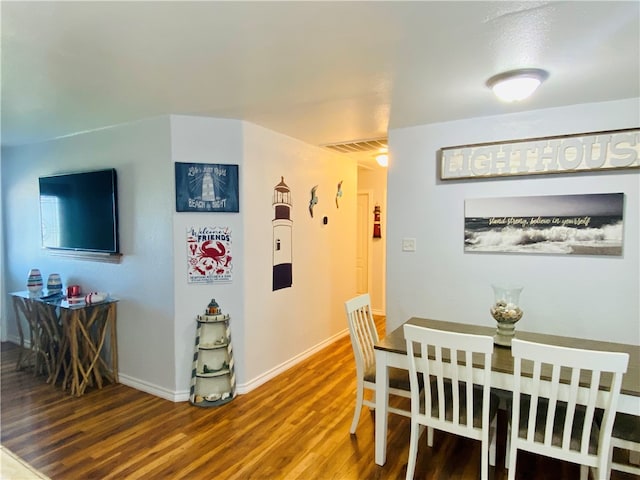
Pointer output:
456, 396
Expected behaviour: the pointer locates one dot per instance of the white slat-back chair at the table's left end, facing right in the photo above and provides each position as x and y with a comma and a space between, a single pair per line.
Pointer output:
364, 335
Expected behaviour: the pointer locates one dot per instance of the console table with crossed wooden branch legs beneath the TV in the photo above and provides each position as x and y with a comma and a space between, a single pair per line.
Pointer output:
74, 342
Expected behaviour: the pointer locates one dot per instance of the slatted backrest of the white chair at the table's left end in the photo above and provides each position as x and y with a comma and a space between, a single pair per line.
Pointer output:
362, 330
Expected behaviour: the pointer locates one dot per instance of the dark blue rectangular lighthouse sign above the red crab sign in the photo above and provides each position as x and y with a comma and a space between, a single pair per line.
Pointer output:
206, 187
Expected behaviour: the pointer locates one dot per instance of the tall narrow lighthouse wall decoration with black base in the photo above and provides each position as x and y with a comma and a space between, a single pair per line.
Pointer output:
282, 268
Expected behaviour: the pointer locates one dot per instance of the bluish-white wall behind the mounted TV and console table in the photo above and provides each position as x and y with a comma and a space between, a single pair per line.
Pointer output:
143, 280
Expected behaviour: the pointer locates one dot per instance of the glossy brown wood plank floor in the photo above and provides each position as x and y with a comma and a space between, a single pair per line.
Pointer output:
295, 426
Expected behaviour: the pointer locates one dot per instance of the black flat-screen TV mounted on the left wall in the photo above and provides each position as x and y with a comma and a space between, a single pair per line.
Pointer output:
79, 211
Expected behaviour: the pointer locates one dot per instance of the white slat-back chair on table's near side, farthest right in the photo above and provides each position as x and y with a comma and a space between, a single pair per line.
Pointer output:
555, 415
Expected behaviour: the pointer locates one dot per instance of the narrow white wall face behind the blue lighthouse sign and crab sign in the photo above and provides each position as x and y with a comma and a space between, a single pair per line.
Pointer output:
206, 140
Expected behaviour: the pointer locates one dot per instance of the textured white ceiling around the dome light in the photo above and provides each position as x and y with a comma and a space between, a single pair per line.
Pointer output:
322, 72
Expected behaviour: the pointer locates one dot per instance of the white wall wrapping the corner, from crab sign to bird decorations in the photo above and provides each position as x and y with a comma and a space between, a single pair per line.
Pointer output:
270, 330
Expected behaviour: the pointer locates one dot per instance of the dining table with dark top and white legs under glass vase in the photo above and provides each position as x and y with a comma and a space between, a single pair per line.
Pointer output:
391, 351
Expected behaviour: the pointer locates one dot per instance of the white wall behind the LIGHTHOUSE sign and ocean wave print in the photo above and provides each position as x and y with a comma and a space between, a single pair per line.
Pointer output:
581, 296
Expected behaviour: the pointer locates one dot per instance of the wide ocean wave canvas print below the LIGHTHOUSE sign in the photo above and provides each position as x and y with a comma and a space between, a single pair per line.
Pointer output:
585, 224
